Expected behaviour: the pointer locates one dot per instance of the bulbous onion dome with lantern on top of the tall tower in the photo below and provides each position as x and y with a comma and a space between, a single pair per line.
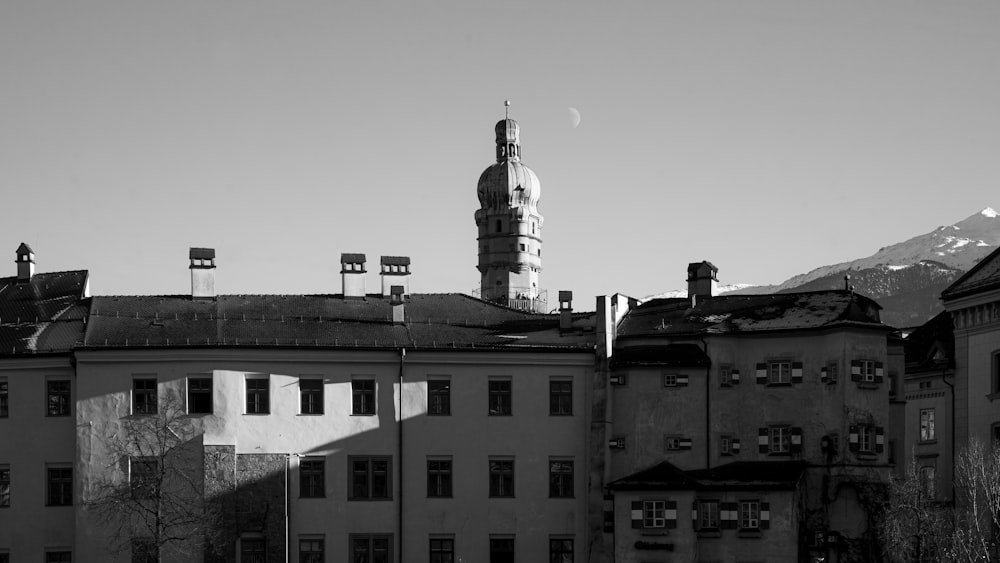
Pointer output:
508, 183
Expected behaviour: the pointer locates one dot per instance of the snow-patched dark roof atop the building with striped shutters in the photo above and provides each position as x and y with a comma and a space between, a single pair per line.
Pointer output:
750, 313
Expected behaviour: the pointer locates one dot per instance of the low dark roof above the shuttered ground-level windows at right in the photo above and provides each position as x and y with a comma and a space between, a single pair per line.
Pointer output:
745, 475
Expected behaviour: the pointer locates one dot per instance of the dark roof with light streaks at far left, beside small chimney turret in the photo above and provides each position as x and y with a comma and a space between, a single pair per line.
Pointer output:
44, 314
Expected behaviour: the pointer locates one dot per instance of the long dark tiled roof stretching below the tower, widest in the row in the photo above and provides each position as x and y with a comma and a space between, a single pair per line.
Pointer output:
444, 320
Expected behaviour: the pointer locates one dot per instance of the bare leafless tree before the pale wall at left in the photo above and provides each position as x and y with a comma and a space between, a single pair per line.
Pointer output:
150, 499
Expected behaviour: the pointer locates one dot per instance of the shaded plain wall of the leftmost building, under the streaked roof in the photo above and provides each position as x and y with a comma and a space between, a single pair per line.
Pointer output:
31, 442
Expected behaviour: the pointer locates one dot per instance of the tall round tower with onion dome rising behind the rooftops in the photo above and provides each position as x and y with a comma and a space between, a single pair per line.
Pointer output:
510, 227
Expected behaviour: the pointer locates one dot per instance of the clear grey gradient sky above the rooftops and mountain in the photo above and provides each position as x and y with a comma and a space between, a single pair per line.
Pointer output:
768, 137
